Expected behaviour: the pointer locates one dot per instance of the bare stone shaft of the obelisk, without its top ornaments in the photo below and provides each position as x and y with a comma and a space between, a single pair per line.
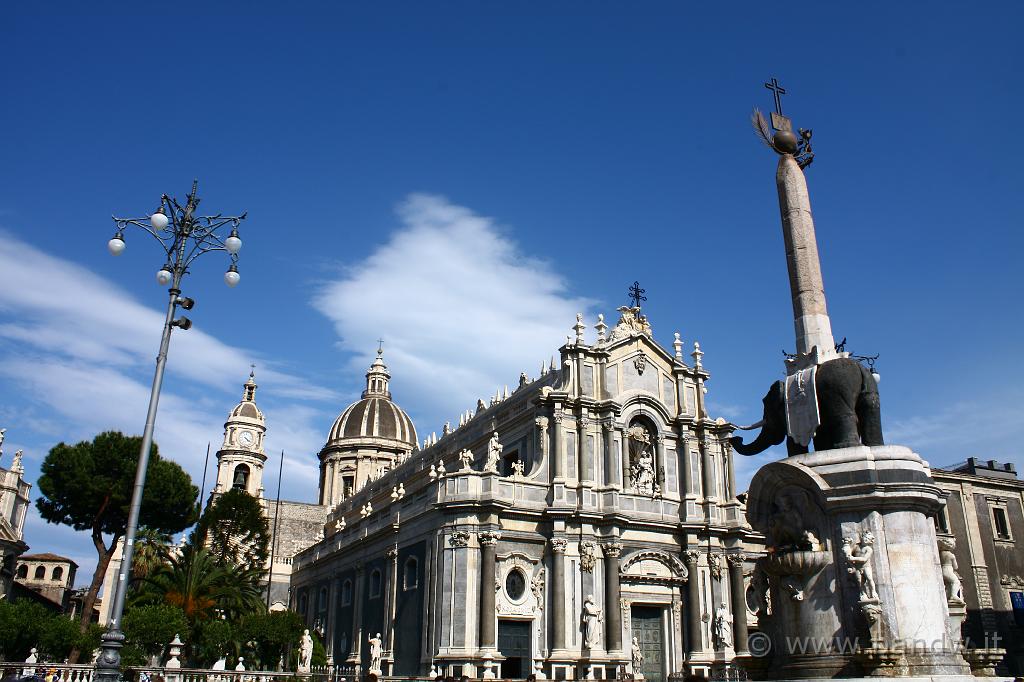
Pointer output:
810, 317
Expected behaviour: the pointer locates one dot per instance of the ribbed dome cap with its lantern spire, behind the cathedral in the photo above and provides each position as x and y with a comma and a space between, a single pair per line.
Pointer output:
374, 417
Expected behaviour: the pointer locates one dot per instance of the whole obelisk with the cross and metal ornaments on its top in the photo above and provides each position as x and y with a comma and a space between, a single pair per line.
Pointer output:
810, 315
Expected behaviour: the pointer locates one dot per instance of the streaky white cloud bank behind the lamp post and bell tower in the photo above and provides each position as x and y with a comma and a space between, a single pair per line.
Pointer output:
70, 371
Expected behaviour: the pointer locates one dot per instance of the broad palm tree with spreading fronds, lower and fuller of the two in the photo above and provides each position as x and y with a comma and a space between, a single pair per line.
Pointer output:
195, 582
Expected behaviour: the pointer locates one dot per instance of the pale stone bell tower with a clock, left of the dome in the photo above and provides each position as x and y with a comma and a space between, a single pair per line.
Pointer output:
241, 458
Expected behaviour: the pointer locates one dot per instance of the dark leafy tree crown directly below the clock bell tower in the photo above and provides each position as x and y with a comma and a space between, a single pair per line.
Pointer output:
236, 531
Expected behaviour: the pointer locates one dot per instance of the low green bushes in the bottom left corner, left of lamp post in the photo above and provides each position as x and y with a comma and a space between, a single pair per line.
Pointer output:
25, 625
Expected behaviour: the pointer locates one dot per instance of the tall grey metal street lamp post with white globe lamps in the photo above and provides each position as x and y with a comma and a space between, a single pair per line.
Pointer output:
185, 237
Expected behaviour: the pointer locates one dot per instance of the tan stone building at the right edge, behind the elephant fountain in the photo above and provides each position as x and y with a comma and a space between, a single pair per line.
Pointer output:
985, 515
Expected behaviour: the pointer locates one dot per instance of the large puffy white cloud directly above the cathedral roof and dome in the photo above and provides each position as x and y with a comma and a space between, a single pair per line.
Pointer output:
461, 308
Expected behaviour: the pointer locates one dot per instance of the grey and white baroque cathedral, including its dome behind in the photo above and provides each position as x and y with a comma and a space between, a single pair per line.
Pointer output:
584, 525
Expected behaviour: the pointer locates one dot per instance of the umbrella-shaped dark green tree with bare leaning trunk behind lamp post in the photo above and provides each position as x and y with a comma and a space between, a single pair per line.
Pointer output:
89, 487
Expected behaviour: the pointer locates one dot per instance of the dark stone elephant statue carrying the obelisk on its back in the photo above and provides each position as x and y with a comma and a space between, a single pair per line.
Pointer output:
848, 407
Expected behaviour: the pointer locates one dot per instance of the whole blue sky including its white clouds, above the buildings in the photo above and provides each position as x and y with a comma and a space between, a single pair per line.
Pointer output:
461, 179
